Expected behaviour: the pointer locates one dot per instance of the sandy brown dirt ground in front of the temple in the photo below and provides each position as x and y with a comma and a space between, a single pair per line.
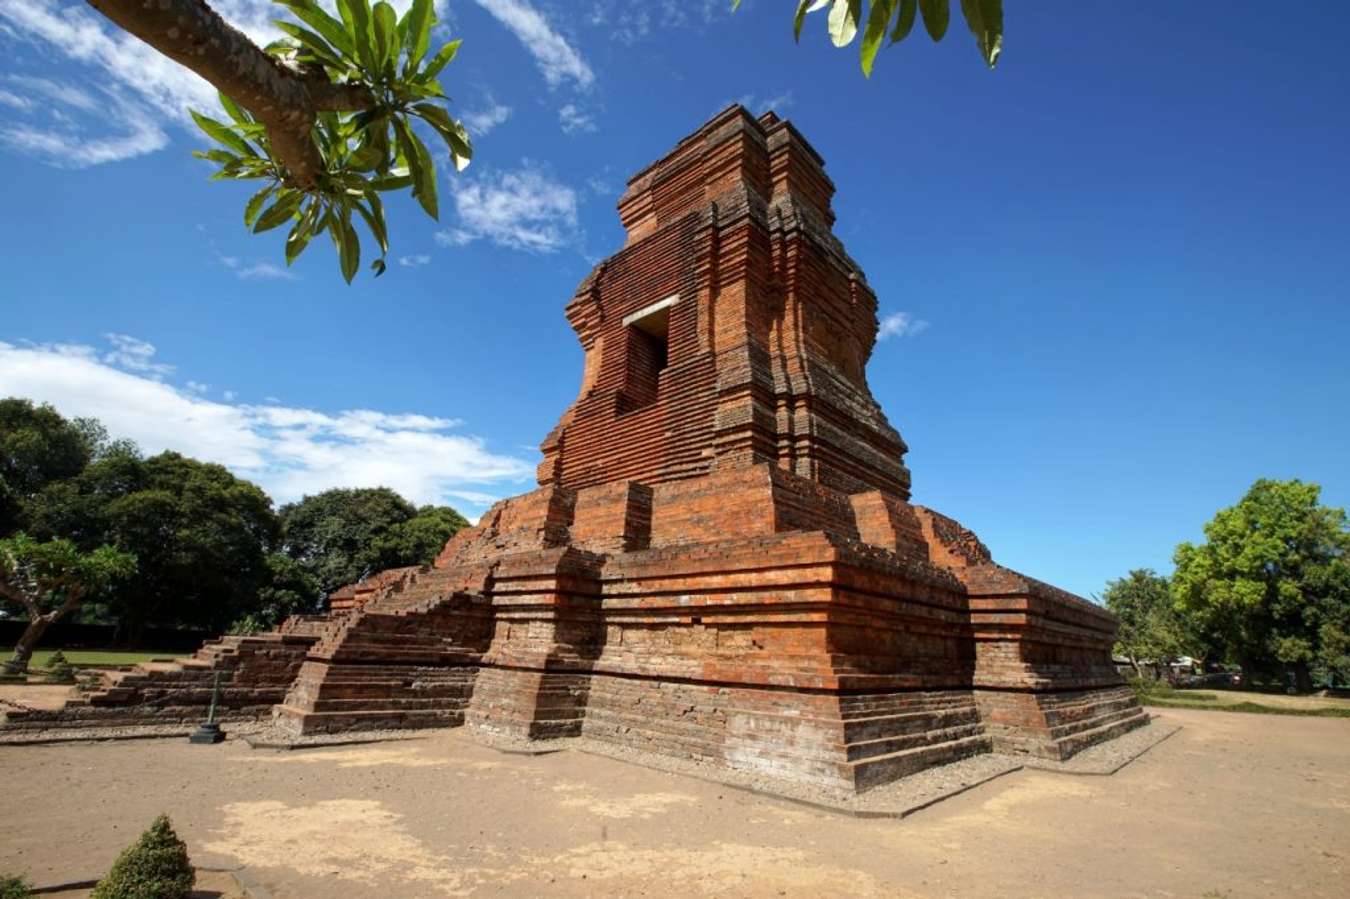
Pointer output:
1235, 805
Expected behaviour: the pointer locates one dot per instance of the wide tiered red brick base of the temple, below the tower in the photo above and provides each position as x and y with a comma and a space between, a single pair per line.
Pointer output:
805, 654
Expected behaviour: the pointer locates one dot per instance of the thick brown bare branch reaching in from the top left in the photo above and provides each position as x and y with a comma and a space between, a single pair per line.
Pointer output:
284, 101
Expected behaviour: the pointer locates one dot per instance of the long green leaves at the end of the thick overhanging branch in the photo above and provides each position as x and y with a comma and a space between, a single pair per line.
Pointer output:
367, 153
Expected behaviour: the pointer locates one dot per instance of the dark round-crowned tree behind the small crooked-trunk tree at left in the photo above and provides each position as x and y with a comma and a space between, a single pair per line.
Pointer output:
200, 537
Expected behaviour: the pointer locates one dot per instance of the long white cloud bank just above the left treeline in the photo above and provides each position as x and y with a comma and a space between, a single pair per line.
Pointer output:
288, 452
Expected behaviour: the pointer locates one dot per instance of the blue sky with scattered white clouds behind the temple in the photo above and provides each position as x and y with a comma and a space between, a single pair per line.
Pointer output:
1116, 268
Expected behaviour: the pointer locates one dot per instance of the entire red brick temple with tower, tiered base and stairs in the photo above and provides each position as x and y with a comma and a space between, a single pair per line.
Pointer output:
722, 560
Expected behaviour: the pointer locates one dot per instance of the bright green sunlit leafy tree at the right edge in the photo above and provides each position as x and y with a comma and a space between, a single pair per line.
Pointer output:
1272, 581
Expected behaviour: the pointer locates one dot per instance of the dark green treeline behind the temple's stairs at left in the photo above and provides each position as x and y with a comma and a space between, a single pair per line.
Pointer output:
211, 551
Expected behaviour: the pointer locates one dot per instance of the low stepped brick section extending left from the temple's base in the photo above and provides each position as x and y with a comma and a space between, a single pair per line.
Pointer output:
256, 673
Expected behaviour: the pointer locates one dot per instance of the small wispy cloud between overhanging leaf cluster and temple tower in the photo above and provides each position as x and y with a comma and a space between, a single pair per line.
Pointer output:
523, 210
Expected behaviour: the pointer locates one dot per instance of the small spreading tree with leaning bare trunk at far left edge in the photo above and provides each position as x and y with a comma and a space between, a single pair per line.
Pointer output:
49, 580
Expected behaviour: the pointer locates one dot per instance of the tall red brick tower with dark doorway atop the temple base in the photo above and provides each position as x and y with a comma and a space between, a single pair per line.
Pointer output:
731, 330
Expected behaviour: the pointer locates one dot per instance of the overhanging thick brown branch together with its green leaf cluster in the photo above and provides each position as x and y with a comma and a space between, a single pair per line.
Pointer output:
326, 119
